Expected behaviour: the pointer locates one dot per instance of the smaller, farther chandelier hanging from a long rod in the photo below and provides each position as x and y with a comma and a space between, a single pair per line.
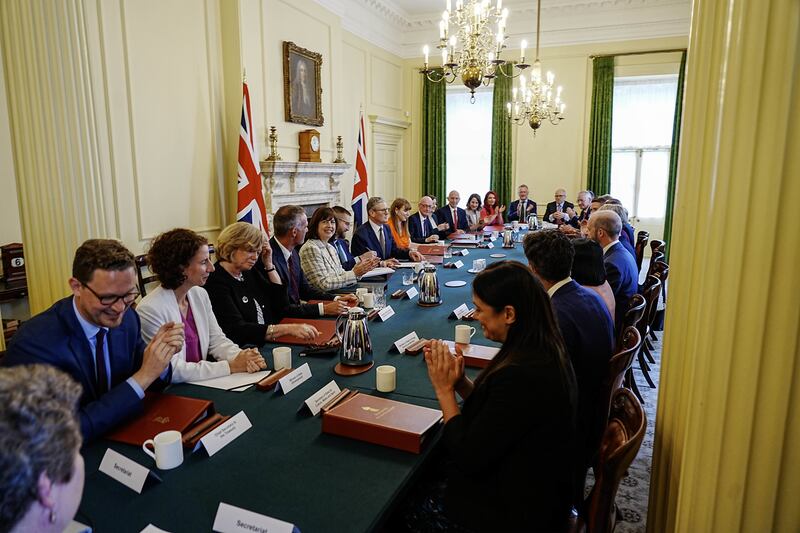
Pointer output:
535, 102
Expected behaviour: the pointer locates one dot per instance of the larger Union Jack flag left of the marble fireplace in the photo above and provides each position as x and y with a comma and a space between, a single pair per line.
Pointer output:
250, 207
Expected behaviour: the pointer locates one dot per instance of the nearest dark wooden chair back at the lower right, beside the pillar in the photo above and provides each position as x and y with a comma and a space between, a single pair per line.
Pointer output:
621, 442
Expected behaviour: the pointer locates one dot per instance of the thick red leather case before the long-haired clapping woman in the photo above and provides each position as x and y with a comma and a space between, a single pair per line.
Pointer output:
380, 421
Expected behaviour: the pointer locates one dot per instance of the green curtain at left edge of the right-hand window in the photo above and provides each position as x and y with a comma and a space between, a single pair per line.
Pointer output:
599, 171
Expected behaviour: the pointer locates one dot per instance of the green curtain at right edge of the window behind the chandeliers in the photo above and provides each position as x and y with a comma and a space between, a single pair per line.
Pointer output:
501, 140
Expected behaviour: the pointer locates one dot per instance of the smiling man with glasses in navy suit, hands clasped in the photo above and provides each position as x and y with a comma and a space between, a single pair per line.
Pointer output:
95, 337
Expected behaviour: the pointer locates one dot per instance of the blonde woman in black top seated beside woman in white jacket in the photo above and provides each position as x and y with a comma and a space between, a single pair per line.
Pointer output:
249, 302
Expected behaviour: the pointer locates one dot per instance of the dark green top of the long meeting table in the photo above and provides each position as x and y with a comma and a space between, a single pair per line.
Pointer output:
284, 466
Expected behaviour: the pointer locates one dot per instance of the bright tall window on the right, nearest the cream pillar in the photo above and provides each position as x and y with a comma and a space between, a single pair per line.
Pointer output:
644, 109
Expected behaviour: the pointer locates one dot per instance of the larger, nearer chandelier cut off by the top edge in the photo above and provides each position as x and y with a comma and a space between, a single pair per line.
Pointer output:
472, 51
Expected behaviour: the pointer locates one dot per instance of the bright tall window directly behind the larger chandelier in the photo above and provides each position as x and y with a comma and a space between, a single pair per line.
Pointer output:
469, 141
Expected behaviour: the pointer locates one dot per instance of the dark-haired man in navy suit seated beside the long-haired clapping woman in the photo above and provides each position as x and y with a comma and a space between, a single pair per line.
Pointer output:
588, 334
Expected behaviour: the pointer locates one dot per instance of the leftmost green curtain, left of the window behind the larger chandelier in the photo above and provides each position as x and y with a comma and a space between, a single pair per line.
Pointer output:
434, 138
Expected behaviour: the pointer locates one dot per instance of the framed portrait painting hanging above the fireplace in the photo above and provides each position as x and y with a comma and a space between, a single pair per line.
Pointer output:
302, 90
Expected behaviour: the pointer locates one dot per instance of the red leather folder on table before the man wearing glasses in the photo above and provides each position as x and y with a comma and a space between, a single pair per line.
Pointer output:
163, 412
